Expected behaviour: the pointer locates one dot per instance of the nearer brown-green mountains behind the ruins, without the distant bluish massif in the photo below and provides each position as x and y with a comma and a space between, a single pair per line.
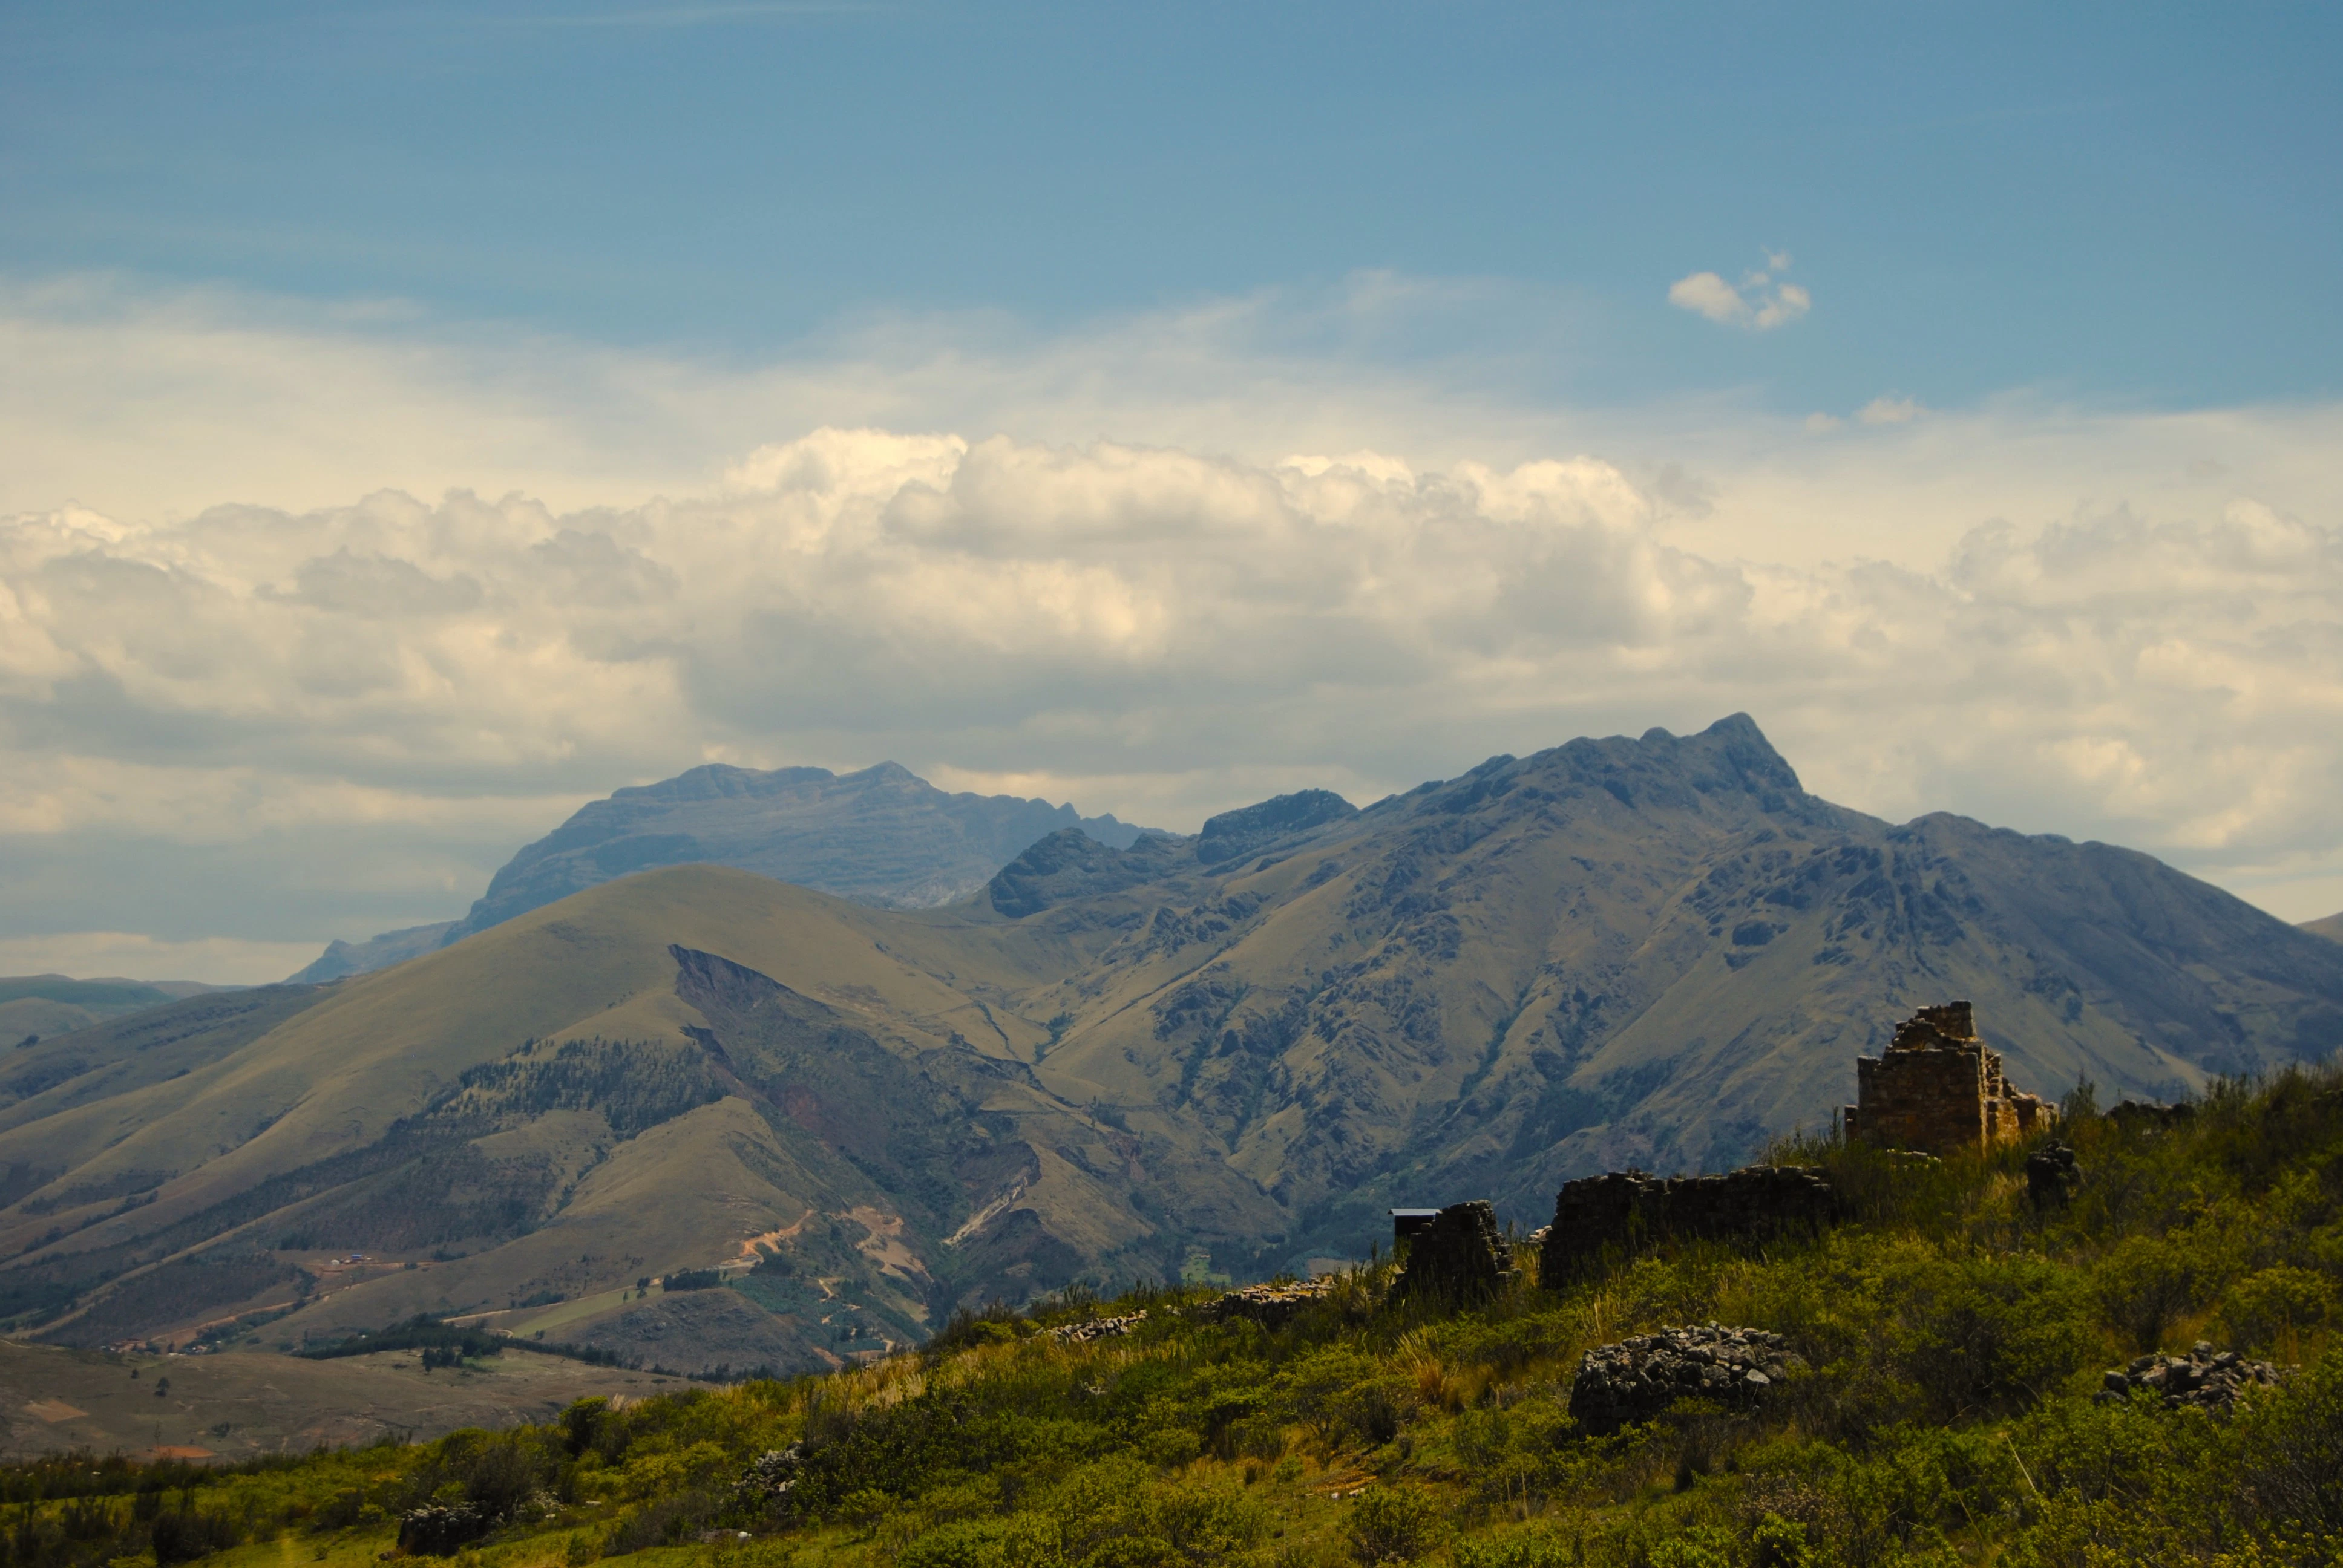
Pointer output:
1152, 1058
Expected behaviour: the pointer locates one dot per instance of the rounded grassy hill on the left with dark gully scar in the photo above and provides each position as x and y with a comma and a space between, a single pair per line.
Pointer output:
641, 1079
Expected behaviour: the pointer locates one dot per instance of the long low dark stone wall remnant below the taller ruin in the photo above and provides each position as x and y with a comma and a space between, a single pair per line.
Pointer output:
1627, 1208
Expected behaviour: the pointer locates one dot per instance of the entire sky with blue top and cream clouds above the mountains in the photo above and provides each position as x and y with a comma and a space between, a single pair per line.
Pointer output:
423, 418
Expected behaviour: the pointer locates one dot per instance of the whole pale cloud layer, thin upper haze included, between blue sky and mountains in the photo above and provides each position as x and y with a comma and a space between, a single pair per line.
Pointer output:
301, 721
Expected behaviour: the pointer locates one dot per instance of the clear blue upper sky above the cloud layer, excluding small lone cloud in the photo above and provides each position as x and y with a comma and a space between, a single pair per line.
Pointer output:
2131, 205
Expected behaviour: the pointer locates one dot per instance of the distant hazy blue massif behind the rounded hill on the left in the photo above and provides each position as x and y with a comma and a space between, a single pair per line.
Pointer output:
882, 838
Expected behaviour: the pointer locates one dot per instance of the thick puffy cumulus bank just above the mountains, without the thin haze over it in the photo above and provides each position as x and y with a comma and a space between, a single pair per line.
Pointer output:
355, 711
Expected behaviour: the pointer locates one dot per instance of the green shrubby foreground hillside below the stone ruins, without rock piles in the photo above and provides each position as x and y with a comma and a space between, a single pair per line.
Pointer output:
1955, 1339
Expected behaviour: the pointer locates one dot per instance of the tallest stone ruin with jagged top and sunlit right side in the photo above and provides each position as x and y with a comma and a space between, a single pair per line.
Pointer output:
1939, 1089
